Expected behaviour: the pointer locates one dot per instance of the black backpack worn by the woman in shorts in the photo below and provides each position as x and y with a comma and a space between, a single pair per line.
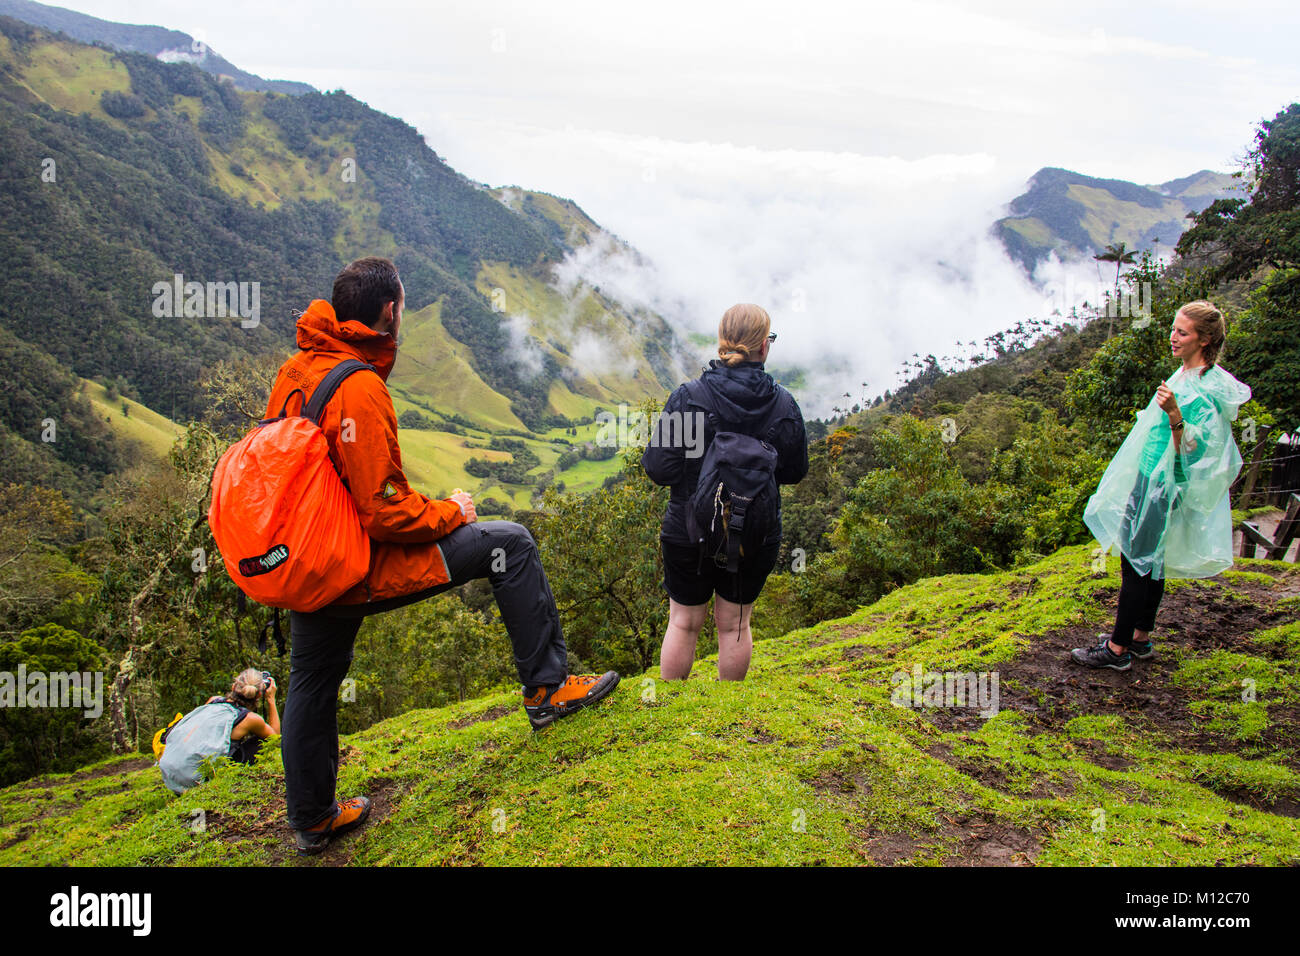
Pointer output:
735, 505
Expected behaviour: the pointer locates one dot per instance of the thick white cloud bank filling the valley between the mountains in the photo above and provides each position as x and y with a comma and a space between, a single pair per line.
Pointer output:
861, 261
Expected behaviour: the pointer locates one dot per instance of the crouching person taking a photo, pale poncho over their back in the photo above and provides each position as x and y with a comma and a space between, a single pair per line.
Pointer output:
223, 728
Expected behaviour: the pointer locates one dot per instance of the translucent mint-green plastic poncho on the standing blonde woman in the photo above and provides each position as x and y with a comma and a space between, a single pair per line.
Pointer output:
1168, 511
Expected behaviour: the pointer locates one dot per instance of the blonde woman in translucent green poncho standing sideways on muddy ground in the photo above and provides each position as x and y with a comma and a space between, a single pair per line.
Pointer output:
1164, 500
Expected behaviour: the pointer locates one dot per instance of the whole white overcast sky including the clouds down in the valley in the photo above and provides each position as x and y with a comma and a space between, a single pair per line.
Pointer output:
839, 165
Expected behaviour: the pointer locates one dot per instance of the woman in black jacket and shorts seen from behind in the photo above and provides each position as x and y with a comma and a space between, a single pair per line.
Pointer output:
746, 400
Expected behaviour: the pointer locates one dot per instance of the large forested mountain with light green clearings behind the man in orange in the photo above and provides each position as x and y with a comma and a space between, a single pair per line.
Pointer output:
122, 172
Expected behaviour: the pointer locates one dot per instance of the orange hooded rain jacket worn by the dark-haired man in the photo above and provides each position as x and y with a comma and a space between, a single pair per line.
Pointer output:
404, 525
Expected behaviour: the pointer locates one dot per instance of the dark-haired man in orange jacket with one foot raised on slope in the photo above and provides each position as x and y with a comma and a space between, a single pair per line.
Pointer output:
419, 548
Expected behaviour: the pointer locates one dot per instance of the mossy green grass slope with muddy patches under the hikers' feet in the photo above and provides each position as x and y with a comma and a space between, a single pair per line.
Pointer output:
808, 762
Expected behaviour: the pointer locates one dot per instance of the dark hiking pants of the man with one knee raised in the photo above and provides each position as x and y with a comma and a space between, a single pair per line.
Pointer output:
504, 553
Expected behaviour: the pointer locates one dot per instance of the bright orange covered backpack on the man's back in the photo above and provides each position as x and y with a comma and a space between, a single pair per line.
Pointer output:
287, 527
